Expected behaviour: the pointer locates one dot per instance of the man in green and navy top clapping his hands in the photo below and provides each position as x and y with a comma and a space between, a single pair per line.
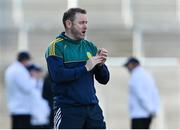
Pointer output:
72, 63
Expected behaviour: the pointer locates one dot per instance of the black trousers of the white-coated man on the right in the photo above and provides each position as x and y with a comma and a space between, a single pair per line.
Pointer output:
141, 123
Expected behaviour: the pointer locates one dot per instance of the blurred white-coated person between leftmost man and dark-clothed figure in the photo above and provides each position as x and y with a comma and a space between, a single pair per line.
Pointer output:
39, 107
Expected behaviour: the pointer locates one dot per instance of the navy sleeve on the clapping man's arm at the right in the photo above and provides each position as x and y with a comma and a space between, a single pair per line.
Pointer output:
102, 74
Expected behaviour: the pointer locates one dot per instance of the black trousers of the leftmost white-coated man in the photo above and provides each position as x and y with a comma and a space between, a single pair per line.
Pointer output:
20, 121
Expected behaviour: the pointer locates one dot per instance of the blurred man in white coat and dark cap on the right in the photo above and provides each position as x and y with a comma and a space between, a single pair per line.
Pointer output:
143, 95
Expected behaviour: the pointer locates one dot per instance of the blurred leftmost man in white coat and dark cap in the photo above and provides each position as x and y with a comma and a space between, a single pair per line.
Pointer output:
19, 87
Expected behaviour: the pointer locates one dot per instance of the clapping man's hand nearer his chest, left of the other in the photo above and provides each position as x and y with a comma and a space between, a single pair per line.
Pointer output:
92, 62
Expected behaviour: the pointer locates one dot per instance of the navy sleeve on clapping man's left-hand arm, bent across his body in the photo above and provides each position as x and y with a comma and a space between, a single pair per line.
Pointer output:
59, 73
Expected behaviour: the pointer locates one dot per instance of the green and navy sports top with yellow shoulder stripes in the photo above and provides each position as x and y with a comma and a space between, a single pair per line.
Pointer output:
73, 85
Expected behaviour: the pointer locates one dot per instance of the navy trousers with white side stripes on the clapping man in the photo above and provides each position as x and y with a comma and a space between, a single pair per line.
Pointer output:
79, 117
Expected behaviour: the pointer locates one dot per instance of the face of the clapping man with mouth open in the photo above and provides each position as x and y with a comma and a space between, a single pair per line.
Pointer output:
79, 26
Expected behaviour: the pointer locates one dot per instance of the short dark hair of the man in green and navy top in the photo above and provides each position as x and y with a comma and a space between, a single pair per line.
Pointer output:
70, 14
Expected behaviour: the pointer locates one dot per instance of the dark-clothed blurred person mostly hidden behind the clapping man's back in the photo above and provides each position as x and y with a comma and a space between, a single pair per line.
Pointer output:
48, 96
